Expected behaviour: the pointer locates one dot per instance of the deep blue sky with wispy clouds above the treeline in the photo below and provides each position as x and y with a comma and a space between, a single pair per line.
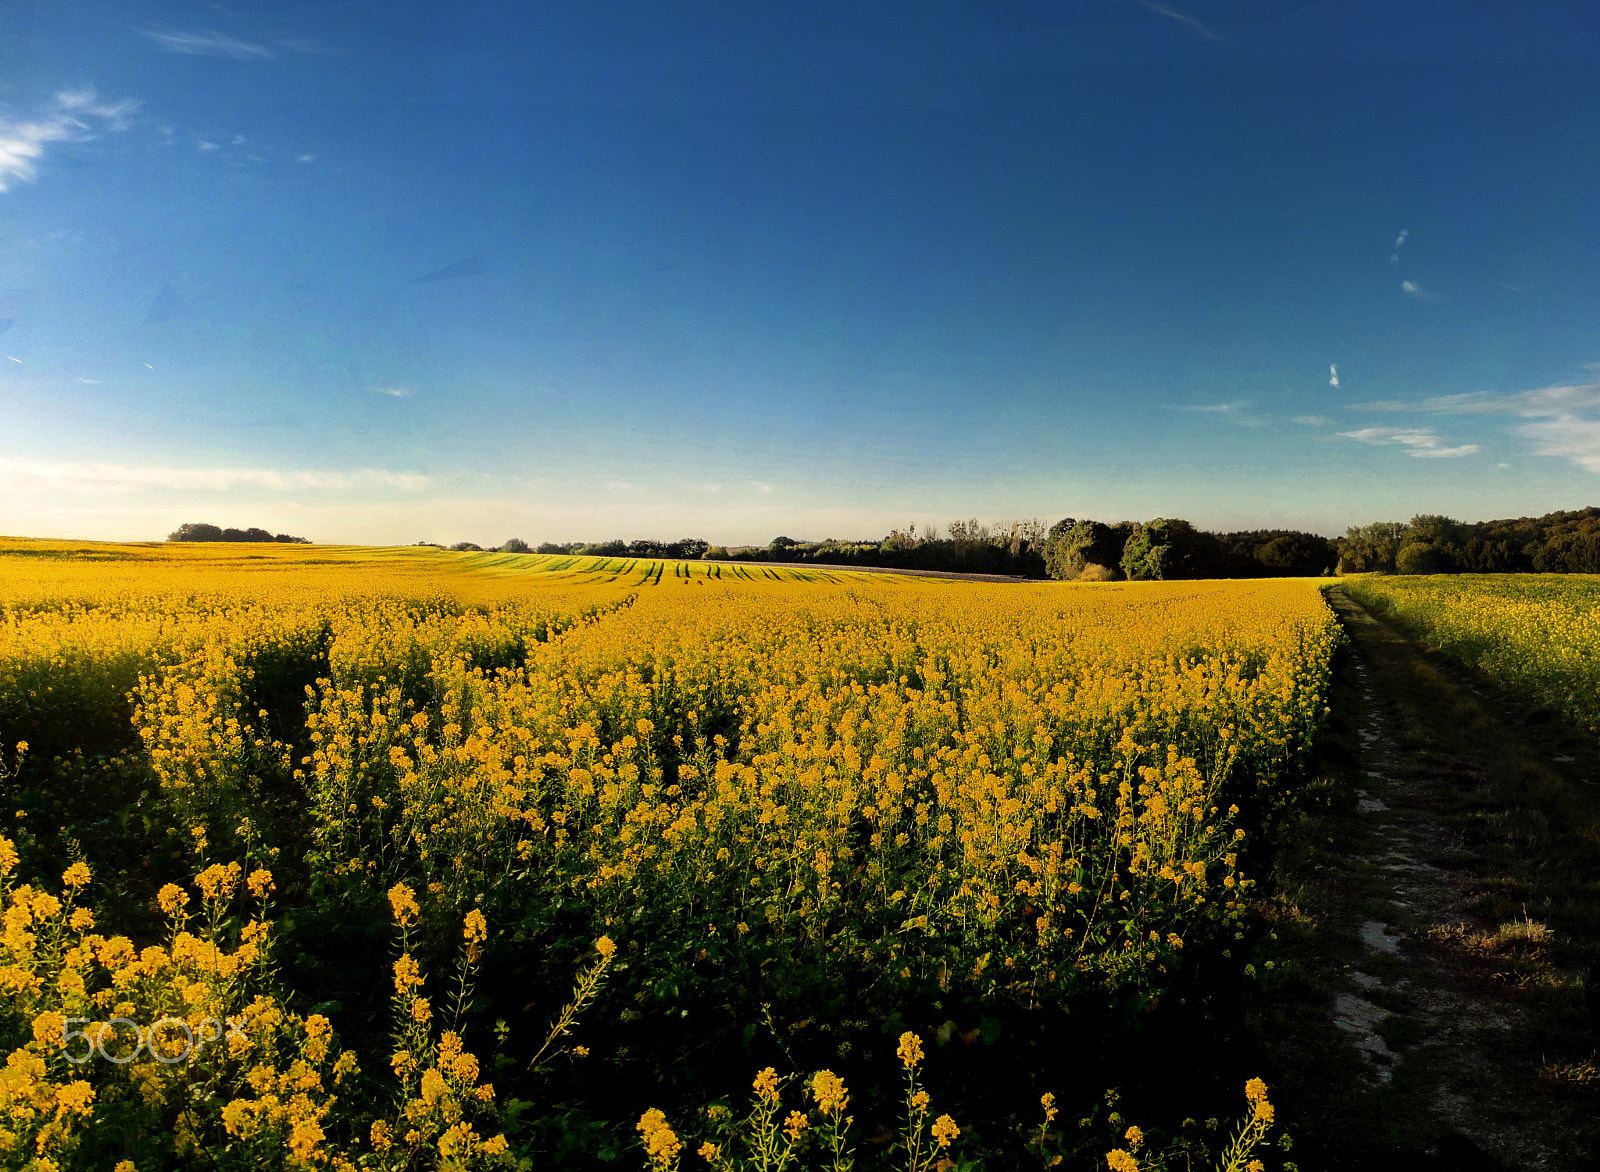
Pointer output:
385, 273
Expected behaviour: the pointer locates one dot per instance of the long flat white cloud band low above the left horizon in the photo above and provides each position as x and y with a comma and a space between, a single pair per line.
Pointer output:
95, 478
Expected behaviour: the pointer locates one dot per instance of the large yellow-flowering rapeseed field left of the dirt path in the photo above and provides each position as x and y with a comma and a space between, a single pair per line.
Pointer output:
479, 857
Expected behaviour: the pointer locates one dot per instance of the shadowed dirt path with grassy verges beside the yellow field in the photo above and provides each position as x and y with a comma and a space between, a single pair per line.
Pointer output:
1452, 907
